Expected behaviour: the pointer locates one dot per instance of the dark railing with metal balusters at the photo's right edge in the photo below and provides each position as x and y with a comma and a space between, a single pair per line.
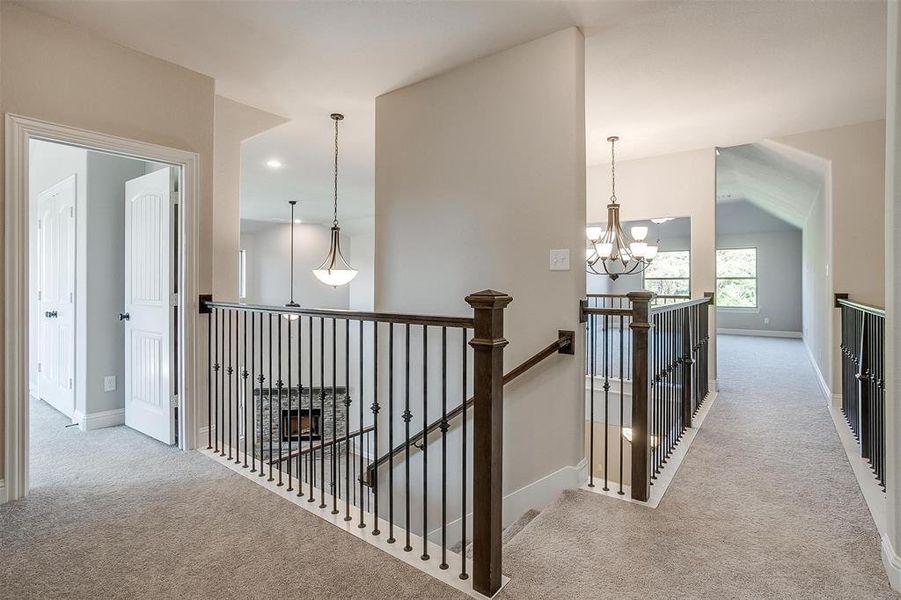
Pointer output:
862, 347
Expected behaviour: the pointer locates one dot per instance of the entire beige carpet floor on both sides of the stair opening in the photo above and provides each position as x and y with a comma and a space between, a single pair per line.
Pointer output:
765, 506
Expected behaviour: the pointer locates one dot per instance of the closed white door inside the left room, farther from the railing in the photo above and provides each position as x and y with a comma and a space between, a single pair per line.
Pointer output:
56, 296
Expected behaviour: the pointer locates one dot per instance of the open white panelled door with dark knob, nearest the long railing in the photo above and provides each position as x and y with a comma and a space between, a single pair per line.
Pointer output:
148, 314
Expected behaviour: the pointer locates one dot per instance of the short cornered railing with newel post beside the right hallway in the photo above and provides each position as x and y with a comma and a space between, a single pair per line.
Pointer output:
660, 352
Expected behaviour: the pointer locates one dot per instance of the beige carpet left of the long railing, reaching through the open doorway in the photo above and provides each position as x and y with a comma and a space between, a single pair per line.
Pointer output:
115, 514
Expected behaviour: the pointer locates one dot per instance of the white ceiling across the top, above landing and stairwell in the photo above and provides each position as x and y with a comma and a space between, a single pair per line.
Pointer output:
665, 76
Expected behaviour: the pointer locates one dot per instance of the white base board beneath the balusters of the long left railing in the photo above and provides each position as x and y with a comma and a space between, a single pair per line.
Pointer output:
429, 567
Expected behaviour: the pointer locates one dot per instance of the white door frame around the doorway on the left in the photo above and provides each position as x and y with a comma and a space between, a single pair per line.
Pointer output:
20, 130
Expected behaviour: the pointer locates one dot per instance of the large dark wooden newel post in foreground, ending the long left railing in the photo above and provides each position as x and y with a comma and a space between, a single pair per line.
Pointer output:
488, 425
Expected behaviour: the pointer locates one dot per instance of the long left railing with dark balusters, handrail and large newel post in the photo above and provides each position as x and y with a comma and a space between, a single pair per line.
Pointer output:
295, 396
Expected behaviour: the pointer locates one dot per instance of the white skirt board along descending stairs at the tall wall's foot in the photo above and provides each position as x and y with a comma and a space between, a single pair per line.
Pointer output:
535, 495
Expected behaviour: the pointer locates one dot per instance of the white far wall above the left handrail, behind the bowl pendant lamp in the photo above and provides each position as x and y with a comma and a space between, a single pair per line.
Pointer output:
269, 261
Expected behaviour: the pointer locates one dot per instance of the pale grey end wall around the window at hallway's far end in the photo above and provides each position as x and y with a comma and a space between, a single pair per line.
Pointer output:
778, 282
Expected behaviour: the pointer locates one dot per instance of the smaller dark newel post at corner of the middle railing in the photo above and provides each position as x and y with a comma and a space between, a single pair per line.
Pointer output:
641, 449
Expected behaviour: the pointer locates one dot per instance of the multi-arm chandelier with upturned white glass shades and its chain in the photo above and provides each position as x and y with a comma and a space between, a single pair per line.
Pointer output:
612, 252
